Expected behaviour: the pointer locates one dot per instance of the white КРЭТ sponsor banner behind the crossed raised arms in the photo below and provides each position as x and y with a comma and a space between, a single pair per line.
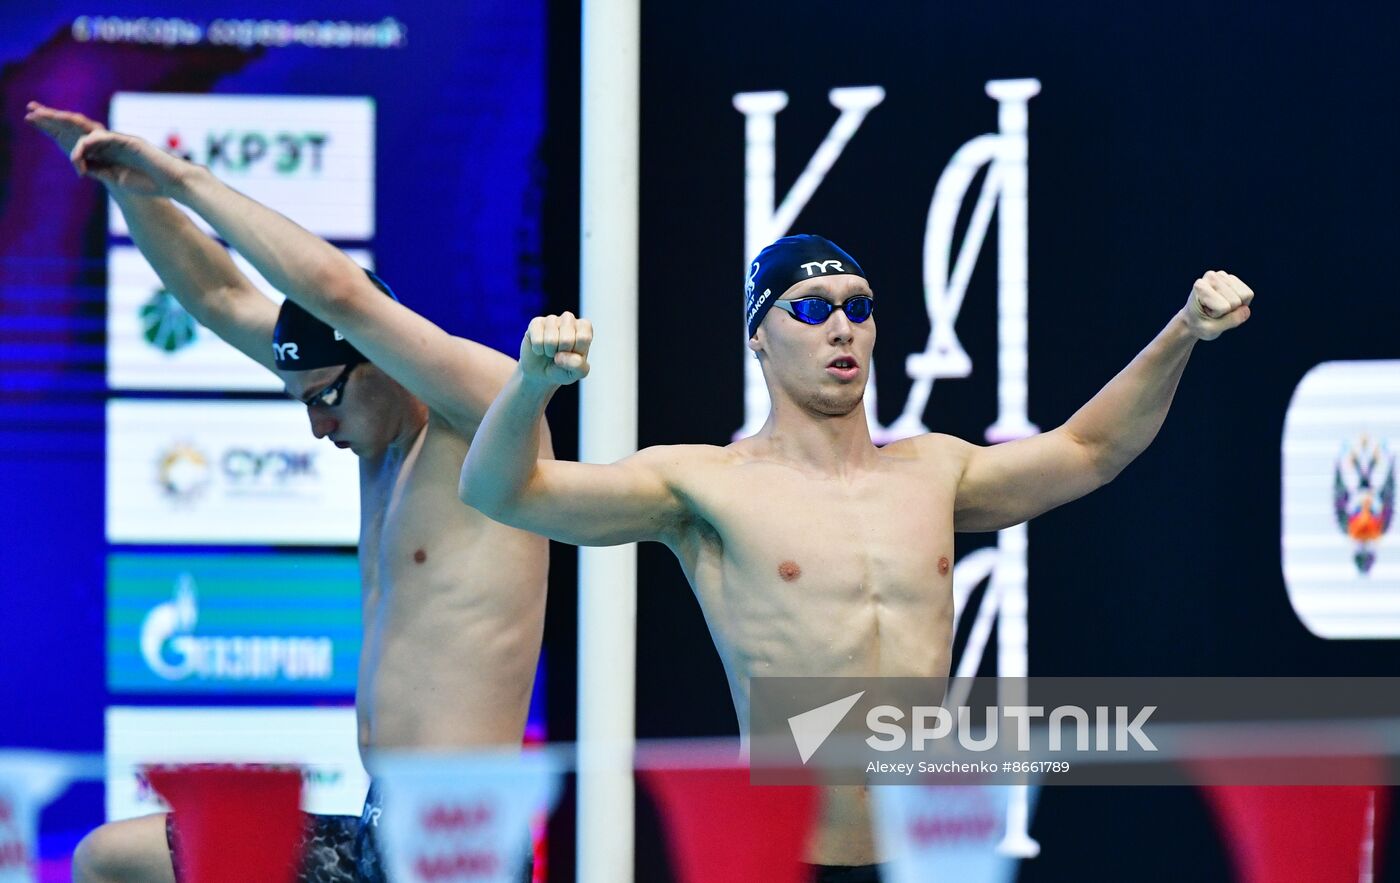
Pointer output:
309, 157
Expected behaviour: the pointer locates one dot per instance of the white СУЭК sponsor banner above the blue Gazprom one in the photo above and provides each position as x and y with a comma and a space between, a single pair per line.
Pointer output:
226, 472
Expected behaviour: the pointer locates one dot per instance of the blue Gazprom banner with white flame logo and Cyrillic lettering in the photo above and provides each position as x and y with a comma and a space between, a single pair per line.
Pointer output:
233, 623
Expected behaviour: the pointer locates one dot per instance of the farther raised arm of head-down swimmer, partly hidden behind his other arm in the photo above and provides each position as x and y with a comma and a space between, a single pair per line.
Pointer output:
192, 267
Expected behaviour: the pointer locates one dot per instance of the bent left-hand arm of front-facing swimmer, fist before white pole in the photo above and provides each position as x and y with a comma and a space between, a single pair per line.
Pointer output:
575, 503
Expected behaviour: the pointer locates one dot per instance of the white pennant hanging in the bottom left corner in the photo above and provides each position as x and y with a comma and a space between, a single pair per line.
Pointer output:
29, 782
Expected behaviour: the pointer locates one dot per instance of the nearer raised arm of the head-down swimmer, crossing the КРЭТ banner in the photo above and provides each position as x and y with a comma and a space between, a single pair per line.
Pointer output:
456, 377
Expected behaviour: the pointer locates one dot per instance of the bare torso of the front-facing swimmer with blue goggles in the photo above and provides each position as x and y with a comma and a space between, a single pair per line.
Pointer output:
806, 574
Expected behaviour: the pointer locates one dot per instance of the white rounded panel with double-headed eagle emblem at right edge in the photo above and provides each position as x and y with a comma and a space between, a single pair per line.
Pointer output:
1340, 546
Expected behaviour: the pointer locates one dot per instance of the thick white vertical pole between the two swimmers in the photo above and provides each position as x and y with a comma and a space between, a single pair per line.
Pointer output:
608, 432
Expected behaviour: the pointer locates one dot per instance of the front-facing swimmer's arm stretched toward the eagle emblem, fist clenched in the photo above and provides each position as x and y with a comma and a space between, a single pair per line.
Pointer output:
1006, 485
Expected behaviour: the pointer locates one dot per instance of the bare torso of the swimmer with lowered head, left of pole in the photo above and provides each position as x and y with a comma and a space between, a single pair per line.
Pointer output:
453, 605
